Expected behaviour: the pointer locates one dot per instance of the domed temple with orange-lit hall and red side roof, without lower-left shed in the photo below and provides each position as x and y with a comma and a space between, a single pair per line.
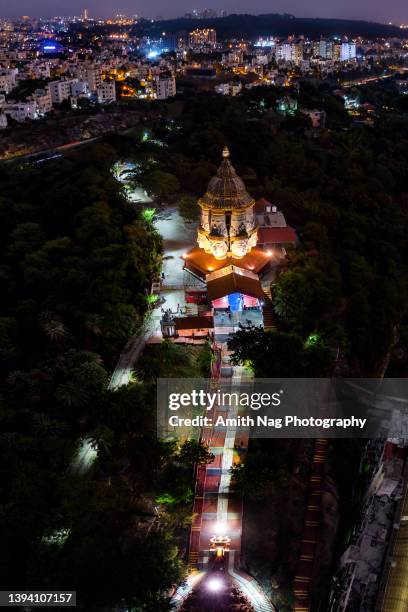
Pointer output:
229, 258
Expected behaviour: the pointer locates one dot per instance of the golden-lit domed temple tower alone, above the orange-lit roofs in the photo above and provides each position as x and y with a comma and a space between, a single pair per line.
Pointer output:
228, 226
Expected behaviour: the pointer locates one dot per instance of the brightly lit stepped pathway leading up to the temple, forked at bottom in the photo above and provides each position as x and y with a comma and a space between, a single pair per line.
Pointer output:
218, 510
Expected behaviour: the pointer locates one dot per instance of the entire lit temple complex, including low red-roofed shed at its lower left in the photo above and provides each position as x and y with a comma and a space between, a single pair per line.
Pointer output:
239, 244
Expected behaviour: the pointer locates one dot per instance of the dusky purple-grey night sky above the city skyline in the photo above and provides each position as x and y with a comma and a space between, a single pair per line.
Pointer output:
374, 10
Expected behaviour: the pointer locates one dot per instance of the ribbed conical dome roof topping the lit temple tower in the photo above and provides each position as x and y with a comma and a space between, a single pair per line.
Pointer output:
226, 190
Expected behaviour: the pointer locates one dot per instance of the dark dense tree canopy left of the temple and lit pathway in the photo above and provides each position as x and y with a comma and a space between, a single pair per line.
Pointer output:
85, 483
